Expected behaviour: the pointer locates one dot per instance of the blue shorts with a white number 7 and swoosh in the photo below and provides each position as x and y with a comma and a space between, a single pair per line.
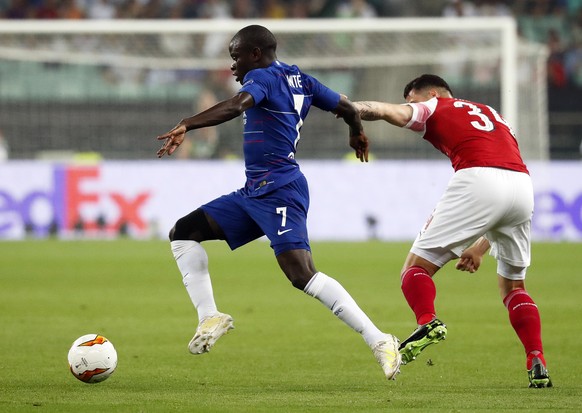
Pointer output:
281, 215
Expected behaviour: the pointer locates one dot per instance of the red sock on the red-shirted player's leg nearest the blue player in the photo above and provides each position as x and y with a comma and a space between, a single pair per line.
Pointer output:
420, 293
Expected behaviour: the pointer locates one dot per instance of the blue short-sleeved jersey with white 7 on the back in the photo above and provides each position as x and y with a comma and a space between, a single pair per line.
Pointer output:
283, 96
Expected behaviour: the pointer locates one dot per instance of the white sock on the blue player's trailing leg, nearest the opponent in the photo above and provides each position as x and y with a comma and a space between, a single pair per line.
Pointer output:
340, 302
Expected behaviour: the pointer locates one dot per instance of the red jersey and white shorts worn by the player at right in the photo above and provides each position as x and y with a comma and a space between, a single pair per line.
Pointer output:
490, 193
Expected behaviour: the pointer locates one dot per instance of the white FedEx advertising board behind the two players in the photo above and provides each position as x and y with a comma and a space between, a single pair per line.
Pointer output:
387, 200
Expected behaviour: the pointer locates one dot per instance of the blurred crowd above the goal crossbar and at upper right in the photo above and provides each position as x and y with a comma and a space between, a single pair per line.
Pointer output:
556, 23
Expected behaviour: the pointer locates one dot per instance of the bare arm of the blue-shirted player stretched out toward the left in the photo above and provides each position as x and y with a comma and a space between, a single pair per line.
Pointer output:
221, 112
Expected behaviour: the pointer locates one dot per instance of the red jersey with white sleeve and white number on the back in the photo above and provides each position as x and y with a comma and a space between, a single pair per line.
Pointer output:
470, 134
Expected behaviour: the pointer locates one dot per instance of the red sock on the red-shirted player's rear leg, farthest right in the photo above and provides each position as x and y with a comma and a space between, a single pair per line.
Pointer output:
525, 319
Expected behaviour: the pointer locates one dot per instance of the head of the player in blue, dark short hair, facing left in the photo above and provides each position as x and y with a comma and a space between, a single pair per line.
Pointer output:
252, 47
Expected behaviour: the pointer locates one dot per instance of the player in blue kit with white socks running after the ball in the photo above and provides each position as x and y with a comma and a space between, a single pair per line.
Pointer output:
274, 100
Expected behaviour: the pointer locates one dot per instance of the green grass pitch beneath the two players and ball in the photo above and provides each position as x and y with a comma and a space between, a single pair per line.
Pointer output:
287, 353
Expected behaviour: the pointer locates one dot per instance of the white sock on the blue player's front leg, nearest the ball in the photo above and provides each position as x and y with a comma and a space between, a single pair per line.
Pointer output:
193, 264
